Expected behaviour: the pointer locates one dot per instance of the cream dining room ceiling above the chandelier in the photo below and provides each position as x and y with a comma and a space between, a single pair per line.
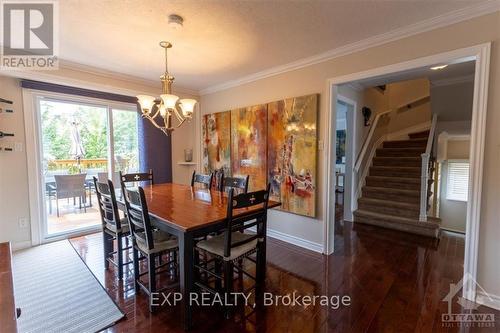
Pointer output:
226, 39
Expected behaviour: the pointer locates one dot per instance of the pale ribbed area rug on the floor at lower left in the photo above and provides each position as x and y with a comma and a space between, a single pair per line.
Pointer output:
57, 292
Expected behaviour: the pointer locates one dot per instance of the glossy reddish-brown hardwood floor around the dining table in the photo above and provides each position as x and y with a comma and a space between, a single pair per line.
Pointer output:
396, 282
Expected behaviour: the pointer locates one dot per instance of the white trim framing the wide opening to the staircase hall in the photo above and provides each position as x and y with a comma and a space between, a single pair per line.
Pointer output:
480, 54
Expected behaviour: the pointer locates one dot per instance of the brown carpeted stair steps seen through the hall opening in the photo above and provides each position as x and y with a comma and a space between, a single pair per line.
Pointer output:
391, 195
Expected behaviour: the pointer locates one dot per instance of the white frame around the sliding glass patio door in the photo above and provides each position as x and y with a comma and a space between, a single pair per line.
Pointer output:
31, 105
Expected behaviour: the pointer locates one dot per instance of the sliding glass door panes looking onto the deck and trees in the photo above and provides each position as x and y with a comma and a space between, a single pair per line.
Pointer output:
81, 140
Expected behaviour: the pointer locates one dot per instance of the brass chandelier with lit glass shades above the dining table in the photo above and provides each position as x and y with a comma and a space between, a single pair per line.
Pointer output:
168, 105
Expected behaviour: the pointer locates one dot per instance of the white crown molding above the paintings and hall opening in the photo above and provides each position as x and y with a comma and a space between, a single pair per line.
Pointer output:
404, 32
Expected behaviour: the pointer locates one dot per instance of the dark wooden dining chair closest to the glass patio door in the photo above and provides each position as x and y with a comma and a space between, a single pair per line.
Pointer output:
114, 226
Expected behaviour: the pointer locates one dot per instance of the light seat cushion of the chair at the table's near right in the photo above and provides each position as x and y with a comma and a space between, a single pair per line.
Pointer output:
215, 245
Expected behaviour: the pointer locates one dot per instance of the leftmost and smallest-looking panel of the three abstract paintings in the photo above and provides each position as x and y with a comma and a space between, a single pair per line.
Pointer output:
216, 134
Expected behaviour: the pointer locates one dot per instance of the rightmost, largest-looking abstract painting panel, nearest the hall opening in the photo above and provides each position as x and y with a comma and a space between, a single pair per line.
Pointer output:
292, 149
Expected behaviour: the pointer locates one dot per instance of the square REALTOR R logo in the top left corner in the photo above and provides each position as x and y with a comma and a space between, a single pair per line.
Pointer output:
29, 35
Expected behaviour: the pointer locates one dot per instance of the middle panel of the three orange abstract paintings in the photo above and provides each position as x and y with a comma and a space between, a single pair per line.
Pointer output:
249, 145
